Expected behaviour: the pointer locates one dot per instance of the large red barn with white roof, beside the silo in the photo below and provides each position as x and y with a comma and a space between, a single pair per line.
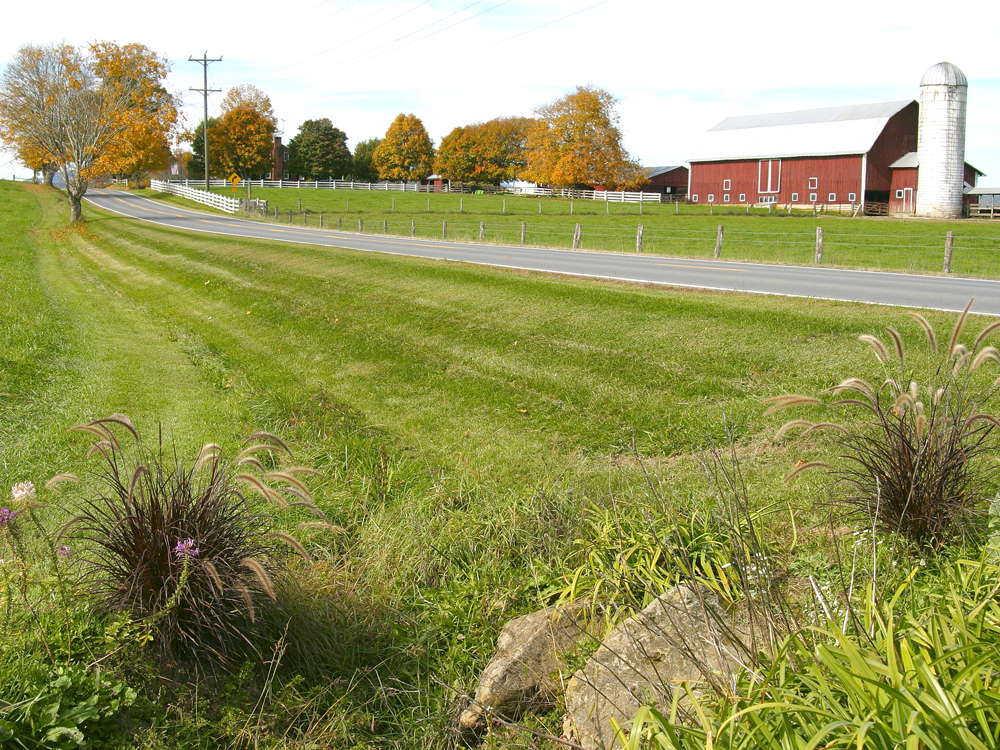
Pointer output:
829, 155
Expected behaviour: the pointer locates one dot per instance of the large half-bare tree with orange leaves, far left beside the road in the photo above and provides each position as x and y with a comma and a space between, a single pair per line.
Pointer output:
89, 111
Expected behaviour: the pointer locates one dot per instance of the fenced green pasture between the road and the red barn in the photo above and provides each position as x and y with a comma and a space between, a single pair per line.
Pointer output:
870, 243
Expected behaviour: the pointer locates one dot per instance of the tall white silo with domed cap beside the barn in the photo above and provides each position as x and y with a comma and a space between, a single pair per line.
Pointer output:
941, 142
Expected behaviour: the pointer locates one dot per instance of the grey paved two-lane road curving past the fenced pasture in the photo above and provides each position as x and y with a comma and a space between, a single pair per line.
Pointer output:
883, 288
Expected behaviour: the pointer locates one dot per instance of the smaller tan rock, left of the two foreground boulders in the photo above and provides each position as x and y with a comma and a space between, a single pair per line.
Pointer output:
527, 672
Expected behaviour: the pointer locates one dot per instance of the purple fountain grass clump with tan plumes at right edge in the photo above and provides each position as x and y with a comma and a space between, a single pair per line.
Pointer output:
914, 464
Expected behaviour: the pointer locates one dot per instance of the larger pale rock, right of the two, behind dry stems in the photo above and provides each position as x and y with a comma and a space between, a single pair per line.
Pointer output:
644, 659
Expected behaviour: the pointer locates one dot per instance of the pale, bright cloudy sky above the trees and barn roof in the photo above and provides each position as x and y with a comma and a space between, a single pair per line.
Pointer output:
676, 68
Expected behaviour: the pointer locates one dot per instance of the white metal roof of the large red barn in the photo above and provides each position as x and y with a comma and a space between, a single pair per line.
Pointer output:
831, 131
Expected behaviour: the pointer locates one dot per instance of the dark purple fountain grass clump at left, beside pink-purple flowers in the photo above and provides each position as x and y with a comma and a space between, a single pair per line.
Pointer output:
182, 549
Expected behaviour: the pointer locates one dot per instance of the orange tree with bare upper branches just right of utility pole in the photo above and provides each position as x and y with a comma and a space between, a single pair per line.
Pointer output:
242, 139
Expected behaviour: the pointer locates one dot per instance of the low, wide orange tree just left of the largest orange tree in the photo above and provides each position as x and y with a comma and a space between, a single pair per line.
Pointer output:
488, 152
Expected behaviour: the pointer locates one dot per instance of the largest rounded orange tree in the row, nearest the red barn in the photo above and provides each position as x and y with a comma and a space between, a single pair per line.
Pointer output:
576, 142
